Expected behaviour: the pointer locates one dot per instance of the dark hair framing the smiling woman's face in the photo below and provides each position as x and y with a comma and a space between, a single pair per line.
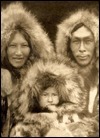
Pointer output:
32, 56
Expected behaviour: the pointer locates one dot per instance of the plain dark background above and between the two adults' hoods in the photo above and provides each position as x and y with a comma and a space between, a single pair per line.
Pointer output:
51, 13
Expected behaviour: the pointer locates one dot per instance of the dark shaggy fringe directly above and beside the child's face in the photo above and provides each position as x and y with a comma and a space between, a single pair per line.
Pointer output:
49, 80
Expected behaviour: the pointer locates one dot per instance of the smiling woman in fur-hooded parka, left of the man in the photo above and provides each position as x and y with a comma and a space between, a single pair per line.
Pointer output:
23, 42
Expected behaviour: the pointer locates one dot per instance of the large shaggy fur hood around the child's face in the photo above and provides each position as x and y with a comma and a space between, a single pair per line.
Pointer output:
50, 74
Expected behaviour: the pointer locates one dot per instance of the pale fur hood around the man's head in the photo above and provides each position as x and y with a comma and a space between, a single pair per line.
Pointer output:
88, 18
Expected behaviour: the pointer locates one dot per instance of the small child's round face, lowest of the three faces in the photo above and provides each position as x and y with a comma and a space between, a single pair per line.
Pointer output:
49, 97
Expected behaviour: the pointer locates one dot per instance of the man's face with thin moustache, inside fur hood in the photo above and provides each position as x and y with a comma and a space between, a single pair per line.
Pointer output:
83, 46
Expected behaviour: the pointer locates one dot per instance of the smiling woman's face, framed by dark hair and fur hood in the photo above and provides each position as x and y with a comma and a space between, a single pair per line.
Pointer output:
18, 51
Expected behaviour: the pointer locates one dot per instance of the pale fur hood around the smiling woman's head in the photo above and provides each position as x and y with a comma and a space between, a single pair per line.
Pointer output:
15, 15
